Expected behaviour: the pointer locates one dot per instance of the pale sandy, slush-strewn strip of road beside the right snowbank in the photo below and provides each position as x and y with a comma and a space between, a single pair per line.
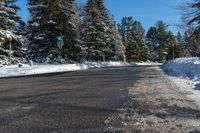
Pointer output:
157, 105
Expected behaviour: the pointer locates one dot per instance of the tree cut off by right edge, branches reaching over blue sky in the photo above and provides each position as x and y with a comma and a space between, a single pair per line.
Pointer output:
191, 20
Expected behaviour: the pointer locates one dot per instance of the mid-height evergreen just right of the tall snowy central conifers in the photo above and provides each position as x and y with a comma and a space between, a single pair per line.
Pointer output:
133, 38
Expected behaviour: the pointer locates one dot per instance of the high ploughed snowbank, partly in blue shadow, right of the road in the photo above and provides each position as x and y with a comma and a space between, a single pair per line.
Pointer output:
185, 73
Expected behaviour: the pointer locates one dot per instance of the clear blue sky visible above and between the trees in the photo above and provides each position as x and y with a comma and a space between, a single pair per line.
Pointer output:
146, 11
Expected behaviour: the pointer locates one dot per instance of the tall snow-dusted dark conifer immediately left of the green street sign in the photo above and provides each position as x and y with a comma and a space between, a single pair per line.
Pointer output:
40, 31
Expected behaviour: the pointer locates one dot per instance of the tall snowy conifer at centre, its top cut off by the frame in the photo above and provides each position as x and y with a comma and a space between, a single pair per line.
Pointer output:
97, 31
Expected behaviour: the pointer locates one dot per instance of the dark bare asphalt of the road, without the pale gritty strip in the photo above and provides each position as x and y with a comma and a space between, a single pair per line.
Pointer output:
64, 102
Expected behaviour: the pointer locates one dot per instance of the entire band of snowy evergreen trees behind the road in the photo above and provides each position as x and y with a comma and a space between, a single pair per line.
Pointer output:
89, 33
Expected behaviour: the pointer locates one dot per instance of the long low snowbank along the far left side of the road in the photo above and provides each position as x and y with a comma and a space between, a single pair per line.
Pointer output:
14, 70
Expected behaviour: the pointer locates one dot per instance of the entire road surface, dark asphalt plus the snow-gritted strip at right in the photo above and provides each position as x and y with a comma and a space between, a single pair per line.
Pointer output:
125, 99
